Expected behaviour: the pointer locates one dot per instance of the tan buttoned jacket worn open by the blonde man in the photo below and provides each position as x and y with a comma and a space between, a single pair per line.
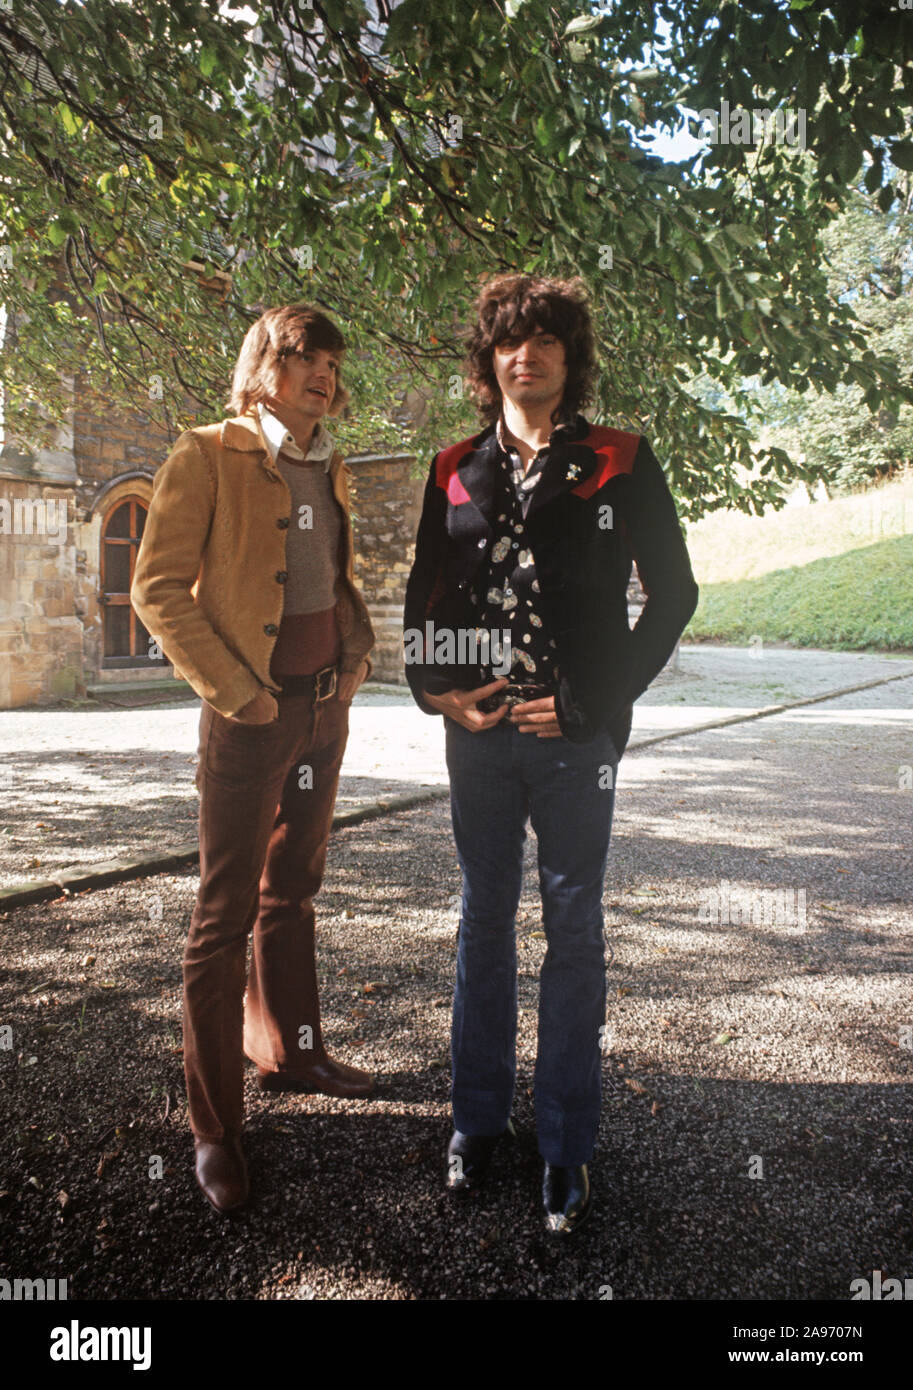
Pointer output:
208, 575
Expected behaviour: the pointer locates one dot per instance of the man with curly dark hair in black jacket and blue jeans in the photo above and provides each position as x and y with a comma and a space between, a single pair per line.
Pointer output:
518, 633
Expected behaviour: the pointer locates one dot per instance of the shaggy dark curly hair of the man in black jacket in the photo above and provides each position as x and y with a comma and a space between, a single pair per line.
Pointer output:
518, 305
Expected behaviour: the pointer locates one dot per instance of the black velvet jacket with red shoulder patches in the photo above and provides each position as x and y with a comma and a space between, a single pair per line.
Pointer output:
601, 502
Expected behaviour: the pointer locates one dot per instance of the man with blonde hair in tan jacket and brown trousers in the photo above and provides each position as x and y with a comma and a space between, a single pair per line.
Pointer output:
245, 578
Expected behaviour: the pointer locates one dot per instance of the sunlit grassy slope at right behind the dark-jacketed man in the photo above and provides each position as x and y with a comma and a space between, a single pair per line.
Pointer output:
811, 576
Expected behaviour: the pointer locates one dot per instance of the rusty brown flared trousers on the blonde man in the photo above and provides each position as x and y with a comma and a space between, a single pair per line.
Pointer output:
268, 796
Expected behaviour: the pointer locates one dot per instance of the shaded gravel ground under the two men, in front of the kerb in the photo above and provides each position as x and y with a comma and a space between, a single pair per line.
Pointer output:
729, 1046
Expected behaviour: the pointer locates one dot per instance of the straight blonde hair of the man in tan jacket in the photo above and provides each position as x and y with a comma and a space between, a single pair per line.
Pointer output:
279, 334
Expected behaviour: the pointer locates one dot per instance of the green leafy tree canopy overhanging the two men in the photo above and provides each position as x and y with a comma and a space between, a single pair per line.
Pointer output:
380, 161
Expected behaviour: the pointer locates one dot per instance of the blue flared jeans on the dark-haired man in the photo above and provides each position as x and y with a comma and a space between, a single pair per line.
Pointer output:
501, 779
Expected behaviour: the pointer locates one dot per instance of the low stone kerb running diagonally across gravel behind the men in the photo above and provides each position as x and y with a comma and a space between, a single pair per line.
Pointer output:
120, 871
